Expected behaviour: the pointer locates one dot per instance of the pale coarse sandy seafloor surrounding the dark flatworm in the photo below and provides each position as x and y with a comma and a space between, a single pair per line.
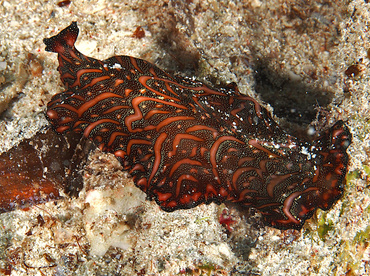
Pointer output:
291, 55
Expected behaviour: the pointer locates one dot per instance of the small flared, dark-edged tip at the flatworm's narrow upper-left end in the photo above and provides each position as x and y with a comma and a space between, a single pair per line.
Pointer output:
63, 41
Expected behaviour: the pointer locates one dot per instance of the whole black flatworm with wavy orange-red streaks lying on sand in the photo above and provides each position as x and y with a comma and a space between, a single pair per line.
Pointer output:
185, 143
